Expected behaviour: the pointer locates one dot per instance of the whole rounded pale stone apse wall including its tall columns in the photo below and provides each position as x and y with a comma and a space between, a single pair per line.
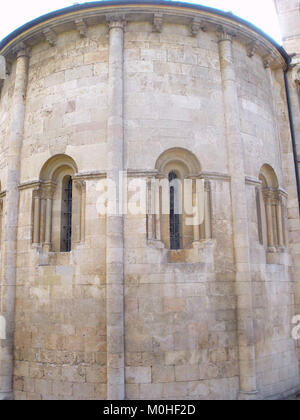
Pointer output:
121, 315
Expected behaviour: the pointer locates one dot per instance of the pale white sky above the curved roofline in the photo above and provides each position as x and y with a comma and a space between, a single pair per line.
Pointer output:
15, 13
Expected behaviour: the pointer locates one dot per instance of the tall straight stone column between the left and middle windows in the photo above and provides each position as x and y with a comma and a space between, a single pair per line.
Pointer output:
115, 236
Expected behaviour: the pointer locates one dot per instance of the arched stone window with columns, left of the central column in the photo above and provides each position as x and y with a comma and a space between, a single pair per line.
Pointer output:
58, 206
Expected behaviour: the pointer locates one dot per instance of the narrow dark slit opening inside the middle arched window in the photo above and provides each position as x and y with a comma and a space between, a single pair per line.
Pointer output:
174, 214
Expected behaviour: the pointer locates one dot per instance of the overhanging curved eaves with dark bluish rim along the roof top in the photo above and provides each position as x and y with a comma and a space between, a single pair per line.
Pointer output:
63, 19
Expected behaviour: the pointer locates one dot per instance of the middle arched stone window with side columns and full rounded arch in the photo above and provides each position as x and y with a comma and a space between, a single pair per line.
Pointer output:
179, 202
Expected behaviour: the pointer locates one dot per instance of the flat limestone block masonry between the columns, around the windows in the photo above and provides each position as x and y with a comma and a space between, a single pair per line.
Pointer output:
180, 313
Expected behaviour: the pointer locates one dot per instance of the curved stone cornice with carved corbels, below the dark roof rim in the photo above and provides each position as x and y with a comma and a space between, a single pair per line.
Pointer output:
158, 16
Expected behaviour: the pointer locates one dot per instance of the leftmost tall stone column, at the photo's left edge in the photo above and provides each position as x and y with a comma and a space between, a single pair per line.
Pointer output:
11, 223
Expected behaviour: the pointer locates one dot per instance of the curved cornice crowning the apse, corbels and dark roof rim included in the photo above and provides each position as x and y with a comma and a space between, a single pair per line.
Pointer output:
197, 18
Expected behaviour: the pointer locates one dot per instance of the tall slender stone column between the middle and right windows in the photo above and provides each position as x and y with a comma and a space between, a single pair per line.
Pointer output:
245, 330
